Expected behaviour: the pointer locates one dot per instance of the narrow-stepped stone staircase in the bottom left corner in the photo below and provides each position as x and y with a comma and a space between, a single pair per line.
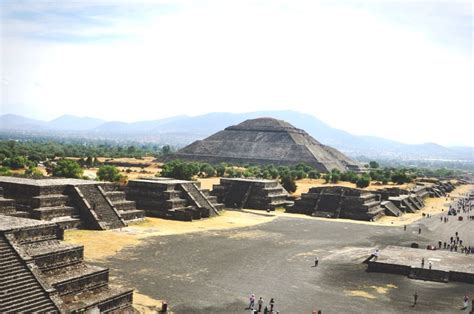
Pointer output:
19, 289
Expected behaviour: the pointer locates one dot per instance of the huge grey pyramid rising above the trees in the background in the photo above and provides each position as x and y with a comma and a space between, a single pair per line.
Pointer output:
266, 141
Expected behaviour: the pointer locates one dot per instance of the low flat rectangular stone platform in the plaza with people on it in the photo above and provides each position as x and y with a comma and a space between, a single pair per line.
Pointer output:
446, 266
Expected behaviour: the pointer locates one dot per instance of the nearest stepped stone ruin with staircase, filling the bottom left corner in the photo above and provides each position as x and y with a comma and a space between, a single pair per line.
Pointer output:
39, 273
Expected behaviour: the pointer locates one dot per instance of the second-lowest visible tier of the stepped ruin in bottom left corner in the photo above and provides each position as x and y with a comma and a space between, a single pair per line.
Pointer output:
73, 279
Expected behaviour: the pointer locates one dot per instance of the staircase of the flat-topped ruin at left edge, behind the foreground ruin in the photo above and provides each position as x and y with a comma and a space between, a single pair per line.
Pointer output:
95, 201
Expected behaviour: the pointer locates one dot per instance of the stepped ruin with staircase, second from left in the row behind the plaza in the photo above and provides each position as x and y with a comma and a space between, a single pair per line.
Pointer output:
172, 199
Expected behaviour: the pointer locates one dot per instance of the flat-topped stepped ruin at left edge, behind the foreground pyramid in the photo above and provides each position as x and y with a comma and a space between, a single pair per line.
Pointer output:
71, 203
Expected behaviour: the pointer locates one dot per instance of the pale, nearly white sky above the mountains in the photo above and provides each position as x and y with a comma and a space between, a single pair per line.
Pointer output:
401, 70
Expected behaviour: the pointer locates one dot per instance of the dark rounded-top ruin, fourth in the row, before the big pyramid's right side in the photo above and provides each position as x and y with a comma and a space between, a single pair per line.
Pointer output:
339, 202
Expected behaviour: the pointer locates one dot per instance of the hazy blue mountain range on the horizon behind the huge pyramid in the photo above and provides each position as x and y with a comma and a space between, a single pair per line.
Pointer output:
182, 130
